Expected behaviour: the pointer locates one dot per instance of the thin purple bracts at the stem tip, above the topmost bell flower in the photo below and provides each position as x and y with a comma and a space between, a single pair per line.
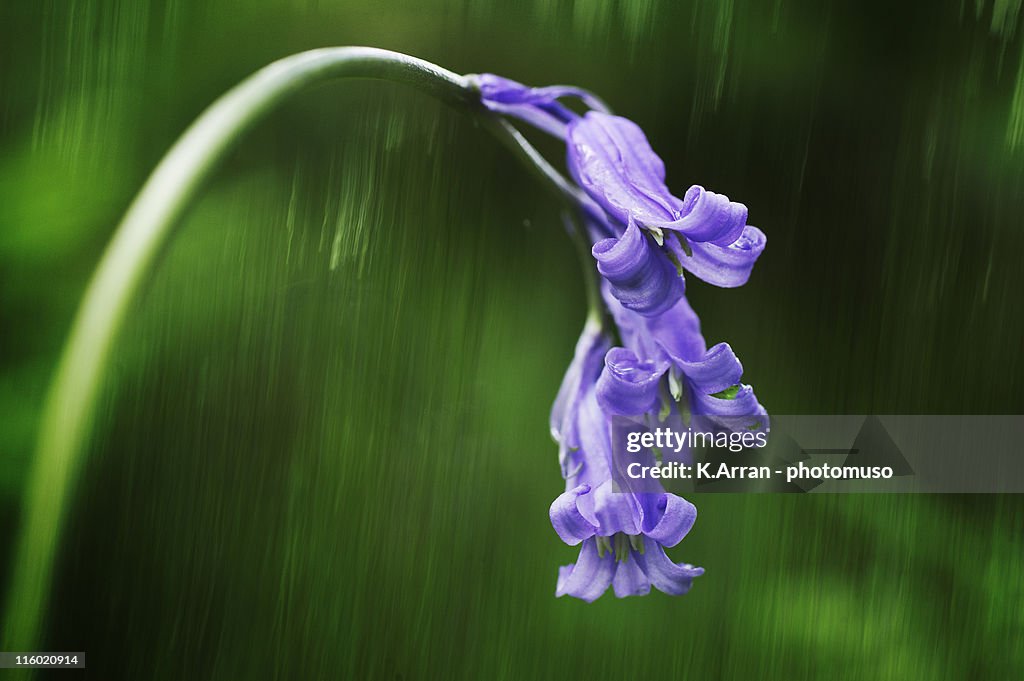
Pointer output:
539, 107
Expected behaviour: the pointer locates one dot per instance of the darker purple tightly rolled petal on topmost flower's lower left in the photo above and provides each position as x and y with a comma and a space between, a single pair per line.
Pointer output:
643, 278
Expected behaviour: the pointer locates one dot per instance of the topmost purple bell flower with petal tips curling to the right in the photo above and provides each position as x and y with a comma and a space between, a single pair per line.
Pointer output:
703, 233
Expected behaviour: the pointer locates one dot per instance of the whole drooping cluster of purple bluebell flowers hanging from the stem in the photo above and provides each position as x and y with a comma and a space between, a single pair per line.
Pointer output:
663, 372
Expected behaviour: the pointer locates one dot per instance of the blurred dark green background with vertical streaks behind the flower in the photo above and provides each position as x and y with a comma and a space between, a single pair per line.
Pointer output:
324, 449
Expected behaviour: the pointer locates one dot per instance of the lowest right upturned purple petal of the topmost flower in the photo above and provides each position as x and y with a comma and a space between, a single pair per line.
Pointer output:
728, 267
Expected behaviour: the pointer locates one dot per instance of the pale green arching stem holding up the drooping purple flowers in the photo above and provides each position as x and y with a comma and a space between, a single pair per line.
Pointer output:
146, 230
